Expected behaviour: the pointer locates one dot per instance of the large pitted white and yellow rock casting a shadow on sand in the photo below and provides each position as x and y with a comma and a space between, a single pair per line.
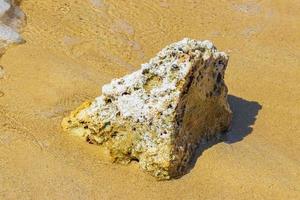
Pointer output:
159, 114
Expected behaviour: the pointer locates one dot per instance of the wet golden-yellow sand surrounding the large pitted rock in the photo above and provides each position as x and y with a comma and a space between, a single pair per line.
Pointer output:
74, 47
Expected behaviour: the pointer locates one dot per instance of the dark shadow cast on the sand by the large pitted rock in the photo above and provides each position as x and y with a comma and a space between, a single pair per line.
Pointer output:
244, 116
